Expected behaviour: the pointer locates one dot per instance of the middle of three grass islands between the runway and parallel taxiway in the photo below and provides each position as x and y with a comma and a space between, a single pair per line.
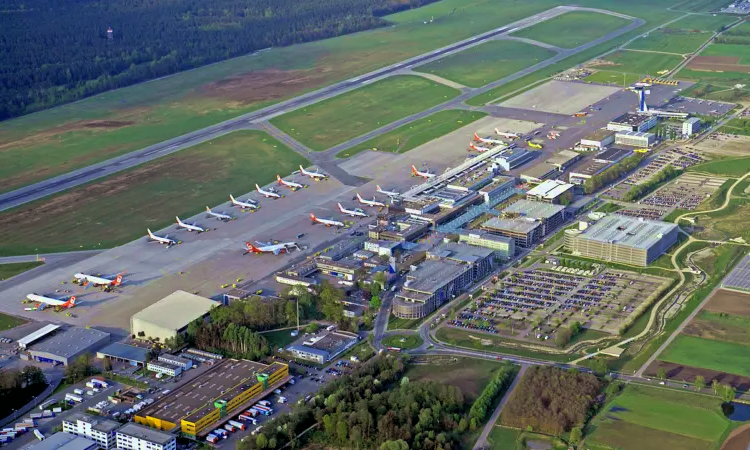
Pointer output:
487, 62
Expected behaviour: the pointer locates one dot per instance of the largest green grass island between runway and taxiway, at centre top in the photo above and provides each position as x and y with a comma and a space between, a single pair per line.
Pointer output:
346, 116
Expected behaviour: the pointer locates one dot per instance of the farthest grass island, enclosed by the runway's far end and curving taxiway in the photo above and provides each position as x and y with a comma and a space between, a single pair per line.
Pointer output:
573, 29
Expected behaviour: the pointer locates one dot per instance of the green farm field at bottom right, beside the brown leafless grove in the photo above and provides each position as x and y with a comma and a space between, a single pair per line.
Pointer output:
649, 418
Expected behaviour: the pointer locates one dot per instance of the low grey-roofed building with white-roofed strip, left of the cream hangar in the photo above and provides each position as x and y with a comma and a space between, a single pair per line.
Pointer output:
62, 346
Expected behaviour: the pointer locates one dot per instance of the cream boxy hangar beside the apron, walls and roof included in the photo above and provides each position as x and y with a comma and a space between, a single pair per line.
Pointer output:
170, 316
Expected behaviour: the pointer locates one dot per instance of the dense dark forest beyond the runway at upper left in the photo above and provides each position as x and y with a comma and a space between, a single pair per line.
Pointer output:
59, 51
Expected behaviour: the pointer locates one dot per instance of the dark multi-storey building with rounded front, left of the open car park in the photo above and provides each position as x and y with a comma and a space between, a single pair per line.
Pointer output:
448, 270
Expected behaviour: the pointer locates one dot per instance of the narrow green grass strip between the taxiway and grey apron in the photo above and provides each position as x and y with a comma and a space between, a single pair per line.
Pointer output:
414, 134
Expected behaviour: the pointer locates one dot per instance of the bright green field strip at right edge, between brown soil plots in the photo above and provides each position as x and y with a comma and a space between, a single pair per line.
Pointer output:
707, 354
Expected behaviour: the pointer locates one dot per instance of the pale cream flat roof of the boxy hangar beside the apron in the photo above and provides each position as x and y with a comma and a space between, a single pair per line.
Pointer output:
176, 310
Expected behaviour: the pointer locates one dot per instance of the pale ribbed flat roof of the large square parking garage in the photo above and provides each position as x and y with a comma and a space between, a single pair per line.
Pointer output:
638, 233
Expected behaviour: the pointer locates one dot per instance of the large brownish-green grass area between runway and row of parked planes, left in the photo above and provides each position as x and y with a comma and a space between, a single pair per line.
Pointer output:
118, 208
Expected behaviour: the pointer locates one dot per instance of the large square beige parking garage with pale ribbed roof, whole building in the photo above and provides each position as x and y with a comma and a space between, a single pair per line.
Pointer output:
622, 239
